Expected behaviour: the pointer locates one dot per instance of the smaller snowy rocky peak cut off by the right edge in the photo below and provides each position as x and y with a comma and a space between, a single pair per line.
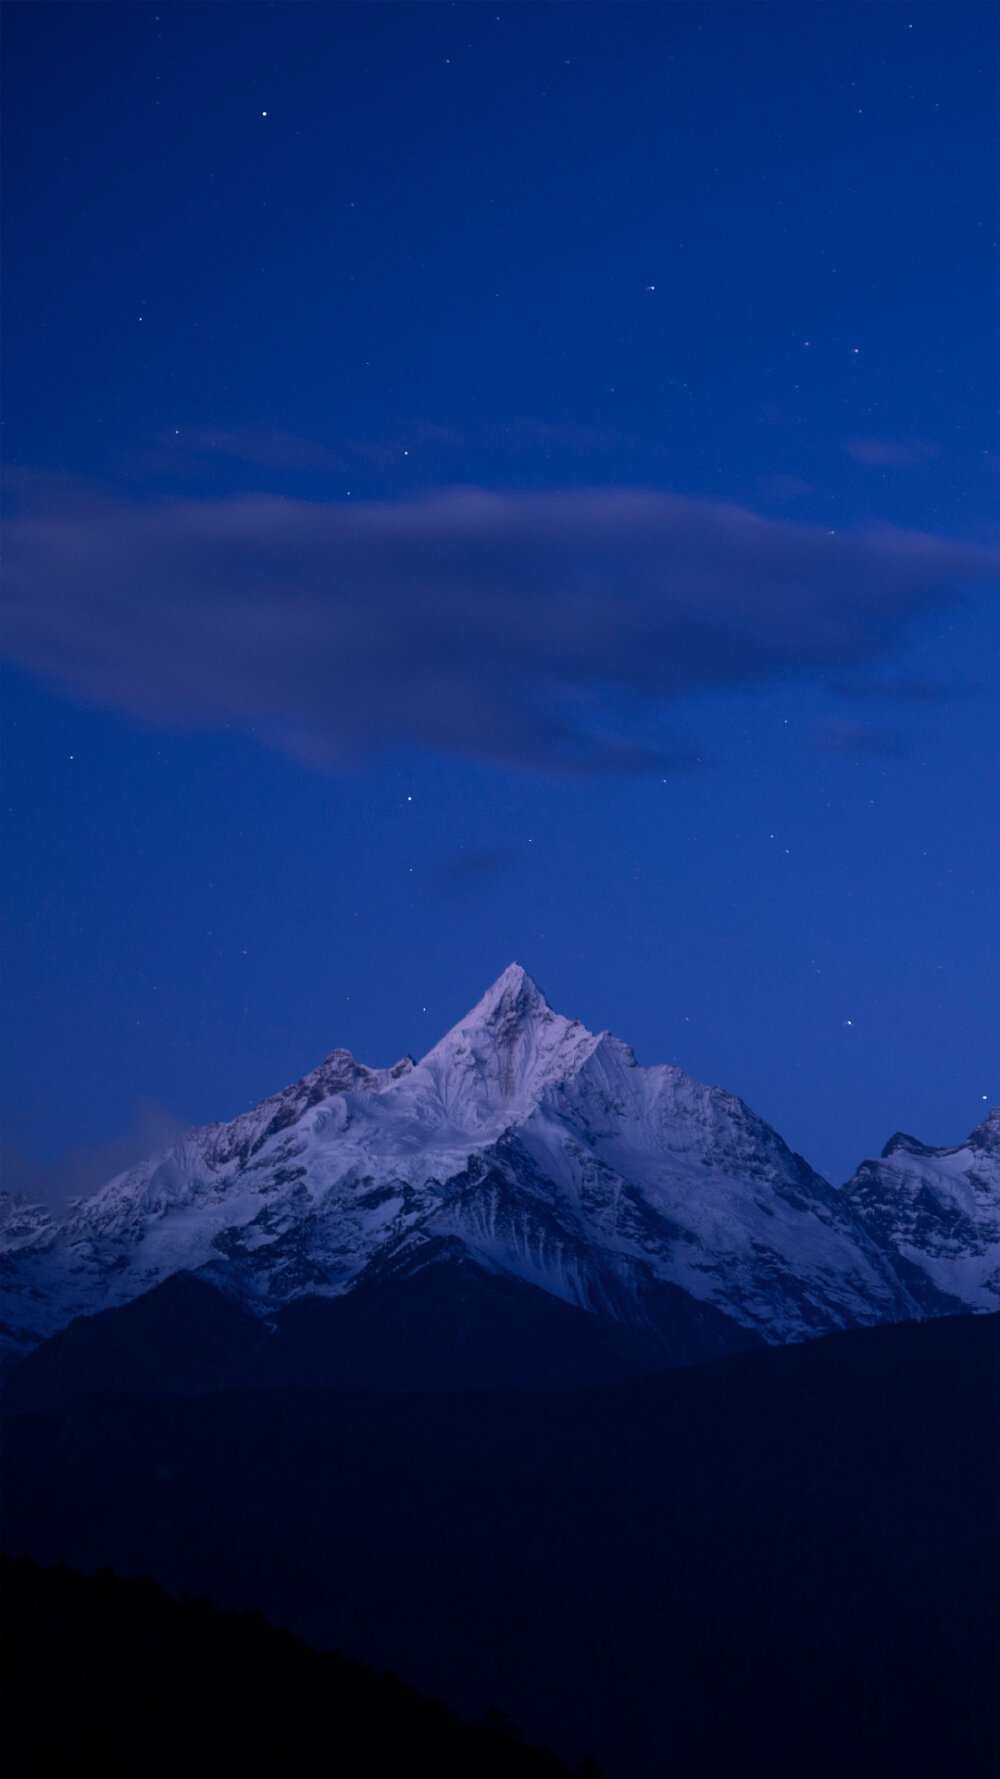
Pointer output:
937, 1212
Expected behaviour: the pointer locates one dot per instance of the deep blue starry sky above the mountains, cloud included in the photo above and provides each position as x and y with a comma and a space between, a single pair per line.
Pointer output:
359, 255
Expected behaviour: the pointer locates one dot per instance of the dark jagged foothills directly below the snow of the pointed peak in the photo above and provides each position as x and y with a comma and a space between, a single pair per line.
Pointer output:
435, 1323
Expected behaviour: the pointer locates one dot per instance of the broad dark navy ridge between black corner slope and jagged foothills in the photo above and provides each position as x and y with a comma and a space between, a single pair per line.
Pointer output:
775, 1566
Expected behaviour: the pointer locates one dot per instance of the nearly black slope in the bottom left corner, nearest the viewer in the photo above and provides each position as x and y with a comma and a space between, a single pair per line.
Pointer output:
113, 1677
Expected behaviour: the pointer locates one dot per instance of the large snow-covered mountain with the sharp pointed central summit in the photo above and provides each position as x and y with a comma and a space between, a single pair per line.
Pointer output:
526, 1161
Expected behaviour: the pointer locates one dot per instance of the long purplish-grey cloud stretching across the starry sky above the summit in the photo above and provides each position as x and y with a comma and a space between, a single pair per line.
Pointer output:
490, 625
